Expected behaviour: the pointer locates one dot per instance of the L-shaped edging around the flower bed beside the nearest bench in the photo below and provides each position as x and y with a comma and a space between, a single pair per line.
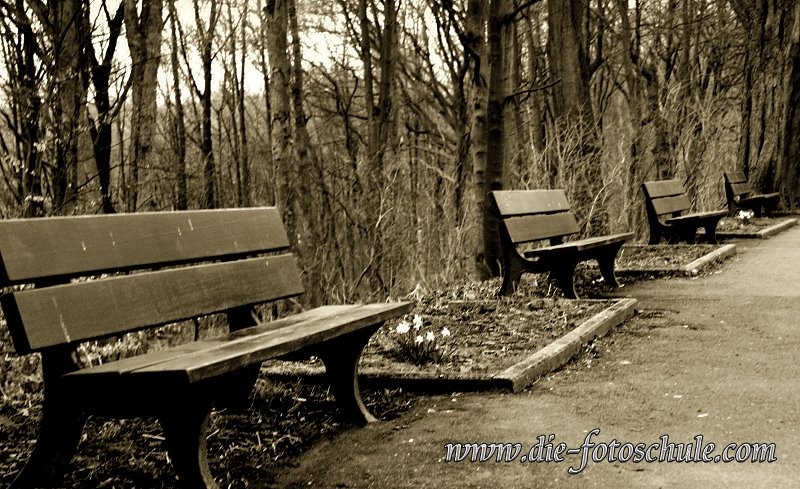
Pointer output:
513, 379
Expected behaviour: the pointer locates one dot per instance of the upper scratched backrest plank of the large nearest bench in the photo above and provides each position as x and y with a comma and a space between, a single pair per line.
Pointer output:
36, 249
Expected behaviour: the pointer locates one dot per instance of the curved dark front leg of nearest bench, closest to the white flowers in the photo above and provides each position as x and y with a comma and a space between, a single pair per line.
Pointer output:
340, 356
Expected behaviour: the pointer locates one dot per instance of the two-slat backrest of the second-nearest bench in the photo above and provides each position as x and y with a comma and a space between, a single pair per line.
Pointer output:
532, 215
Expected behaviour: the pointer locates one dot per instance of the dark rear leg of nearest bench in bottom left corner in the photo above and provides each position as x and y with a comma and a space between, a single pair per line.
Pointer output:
59, 434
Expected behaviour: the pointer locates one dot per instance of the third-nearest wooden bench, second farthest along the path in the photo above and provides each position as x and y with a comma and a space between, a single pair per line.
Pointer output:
666, 203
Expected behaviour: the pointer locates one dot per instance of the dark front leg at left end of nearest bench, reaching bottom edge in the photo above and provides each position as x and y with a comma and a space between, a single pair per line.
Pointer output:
185, 426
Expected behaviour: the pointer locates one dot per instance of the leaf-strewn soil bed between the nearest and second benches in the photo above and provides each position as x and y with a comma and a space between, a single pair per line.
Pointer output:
484, 334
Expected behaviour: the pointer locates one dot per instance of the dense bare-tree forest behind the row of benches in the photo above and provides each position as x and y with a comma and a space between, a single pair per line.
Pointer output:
379, 126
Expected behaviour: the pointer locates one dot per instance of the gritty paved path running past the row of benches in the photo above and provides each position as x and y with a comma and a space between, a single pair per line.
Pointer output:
717, 356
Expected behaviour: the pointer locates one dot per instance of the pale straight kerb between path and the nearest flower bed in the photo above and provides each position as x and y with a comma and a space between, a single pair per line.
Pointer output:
560, 351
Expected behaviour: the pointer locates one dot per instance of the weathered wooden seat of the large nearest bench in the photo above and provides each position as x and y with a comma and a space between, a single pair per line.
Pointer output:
251, 345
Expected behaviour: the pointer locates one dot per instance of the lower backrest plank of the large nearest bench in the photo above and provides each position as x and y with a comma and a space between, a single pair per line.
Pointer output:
41, 318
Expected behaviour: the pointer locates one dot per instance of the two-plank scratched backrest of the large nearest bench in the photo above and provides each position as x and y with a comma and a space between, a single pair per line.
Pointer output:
222, 261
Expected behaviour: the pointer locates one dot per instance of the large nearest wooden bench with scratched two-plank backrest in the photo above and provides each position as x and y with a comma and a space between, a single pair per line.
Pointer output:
178, 266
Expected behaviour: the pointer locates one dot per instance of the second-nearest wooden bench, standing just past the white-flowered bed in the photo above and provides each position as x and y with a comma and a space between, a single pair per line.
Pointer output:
535, 215
